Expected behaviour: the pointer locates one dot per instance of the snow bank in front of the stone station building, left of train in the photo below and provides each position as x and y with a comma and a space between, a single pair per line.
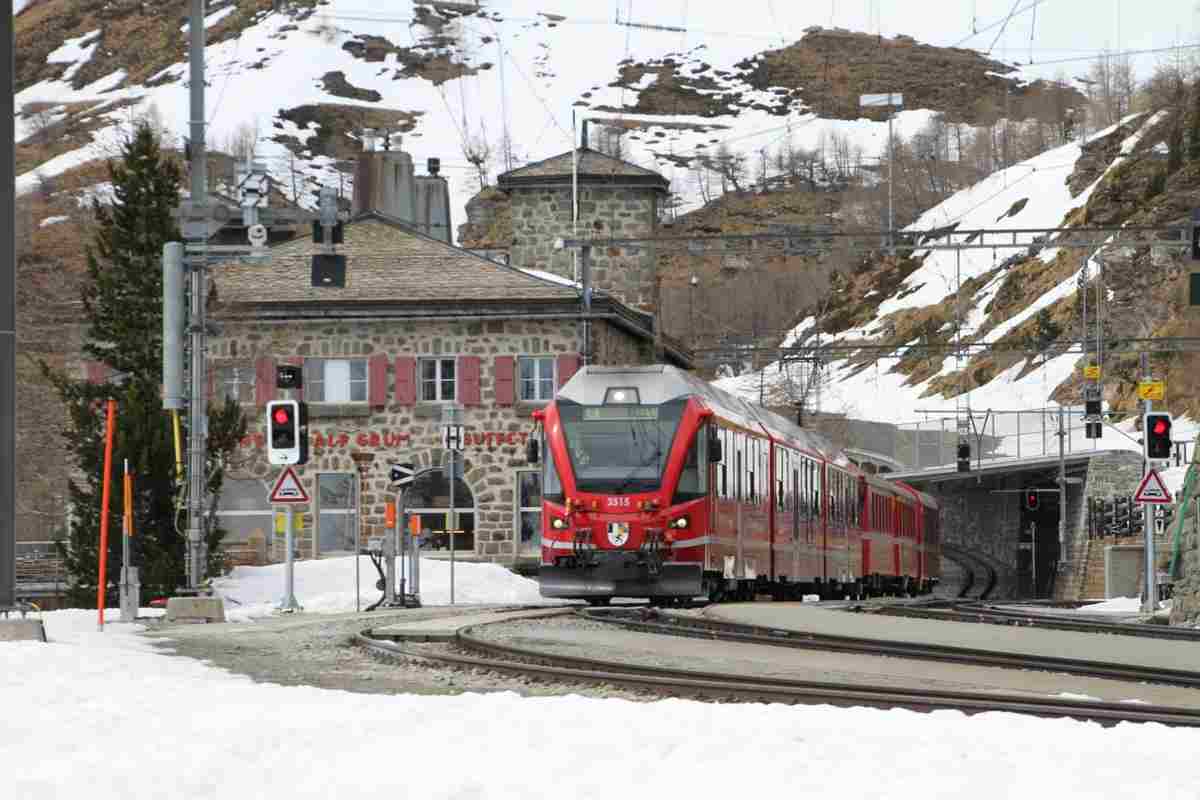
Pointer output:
327, 586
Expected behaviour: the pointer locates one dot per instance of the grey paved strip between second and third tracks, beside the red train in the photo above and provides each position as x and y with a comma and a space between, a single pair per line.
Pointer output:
808, 618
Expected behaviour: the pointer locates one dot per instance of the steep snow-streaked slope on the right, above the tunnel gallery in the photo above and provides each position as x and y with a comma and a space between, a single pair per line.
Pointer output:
1012, 297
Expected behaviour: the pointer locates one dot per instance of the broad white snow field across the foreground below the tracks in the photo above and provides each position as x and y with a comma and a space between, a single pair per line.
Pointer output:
106, 715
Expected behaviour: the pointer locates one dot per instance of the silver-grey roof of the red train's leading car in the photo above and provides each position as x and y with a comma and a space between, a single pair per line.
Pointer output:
662, 383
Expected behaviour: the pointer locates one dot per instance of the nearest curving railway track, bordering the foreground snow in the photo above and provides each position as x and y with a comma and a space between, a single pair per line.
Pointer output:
472, 652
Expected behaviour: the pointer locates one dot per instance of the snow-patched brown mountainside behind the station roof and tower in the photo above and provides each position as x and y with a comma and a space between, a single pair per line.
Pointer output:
484, 87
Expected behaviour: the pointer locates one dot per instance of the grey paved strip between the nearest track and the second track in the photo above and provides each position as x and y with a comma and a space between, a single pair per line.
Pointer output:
567, 637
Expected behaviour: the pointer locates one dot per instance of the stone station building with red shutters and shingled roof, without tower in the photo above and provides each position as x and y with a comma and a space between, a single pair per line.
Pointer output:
417, 326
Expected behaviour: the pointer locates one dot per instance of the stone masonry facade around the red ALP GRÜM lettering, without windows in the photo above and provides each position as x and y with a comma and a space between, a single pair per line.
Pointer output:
409, 434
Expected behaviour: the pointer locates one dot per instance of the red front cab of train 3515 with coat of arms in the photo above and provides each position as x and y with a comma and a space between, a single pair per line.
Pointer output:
613, 525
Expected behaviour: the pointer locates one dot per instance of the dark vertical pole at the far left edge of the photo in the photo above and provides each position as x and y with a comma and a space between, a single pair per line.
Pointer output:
8, 322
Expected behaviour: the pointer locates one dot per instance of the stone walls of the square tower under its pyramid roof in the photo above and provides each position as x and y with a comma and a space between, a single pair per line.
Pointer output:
544, 215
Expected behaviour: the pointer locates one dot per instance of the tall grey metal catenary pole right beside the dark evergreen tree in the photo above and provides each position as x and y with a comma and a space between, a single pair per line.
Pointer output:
197, 432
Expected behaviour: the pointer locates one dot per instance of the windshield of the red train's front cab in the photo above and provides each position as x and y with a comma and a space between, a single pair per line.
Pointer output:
620, 449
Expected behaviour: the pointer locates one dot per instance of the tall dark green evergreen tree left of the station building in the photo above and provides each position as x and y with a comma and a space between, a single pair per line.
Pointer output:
123, 305
